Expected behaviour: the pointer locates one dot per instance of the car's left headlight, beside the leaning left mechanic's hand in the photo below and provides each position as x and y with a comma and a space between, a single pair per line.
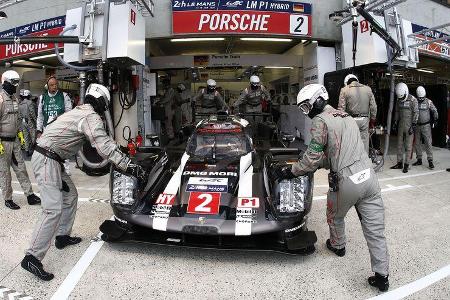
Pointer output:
123, 189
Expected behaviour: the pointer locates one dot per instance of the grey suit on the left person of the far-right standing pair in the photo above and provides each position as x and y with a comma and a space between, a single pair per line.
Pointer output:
406, 114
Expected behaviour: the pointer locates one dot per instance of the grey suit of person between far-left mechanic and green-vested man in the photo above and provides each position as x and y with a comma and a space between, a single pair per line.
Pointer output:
27, 114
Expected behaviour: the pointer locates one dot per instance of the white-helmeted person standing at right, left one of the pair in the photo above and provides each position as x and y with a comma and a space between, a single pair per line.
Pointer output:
406, 116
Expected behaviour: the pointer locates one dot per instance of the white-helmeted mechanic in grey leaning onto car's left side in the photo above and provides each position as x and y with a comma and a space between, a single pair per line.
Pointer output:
62, 139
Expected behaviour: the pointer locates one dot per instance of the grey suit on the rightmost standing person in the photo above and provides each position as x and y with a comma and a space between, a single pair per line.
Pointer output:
423, 130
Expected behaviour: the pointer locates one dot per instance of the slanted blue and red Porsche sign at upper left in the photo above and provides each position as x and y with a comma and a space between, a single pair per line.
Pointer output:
51, 27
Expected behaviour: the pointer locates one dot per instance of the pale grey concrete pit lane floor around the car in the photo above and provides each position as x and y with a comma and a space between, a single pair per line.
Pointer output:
417, 229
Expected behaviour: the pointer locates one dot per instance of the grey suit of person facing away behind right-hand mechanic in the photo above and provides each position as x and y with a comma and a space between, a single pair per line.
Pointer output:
358, 100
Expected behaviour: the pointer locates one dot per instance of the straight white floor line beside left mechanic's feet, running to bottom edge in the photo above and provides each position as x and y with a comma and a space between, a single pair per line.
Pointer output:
72, 279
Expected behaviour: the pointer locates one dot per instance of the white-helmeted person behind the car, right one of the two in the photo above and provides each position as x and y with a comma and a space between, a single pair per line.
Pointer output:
251, 98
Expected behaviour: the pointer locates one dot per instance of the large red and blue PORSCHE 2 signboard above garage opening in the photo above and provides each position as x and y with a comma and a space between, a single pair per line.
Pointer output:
242, 17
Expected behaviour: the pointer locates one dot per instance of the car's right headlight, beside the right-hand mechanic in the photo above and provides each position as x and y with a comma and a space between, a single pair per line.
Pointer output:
292, 194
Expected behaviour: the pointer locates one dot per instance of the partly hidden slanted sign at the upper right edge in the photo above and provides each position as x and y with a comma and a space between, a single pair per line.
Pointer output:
439, 49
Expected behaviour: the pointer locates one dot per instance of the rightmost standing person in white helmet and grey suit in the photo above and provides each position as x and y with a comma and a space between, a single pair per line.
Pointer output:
428, 117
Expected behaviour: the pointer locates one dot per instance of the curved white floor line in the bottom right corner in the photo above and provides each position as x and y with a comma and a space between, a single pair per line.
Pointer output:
415, 286
